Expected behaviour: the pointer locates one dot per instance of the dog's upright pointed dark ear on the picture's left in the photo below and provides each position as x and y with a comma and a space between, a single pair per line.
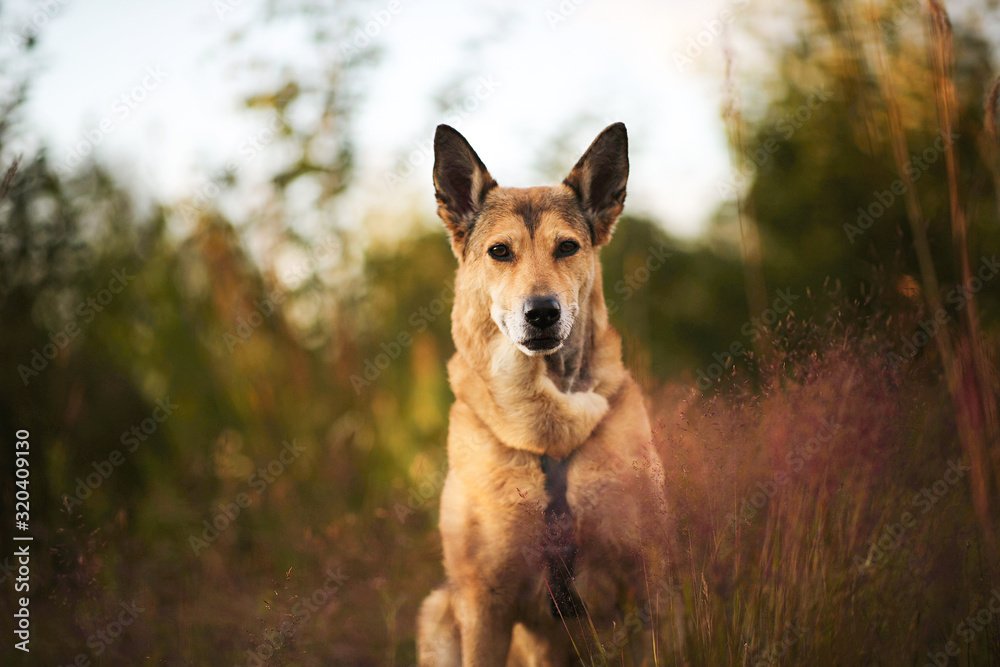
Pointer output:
461, 181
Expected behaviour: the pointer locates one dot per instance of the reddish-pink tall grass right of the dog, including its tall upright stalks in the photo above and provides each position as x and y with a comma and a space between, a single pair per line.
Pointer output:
844, 509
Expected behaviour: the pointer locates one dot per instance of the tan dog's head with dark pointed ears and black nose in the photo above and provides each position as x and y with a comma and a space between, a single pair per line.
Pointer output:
532, 252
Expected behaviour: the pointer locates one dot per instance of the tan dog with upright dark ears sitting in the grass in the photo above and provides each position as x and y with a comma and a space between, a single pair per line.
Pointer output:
554, 489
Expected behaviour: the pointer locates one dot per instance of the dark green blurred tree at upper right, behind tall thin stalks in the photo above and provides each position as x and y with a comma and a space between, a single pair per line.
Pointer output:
825, 191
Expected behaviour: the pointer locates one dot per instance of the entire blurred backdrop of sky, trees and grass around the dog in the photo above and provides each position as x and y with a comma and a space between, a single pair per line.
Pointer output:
224, 313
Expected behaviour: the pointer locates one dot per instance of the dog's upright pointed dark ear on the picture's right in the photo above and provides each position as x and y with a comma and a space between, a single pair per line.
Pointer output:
598, 180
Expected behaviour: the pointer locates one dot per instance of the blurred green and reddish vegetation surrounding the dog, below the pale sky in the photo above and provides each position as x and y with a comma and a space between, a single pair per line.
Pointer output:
236, 428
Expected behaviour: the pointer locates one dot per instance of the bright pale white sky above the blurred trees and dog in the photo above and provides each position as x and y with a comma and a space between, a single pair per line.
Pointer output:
155, 89
